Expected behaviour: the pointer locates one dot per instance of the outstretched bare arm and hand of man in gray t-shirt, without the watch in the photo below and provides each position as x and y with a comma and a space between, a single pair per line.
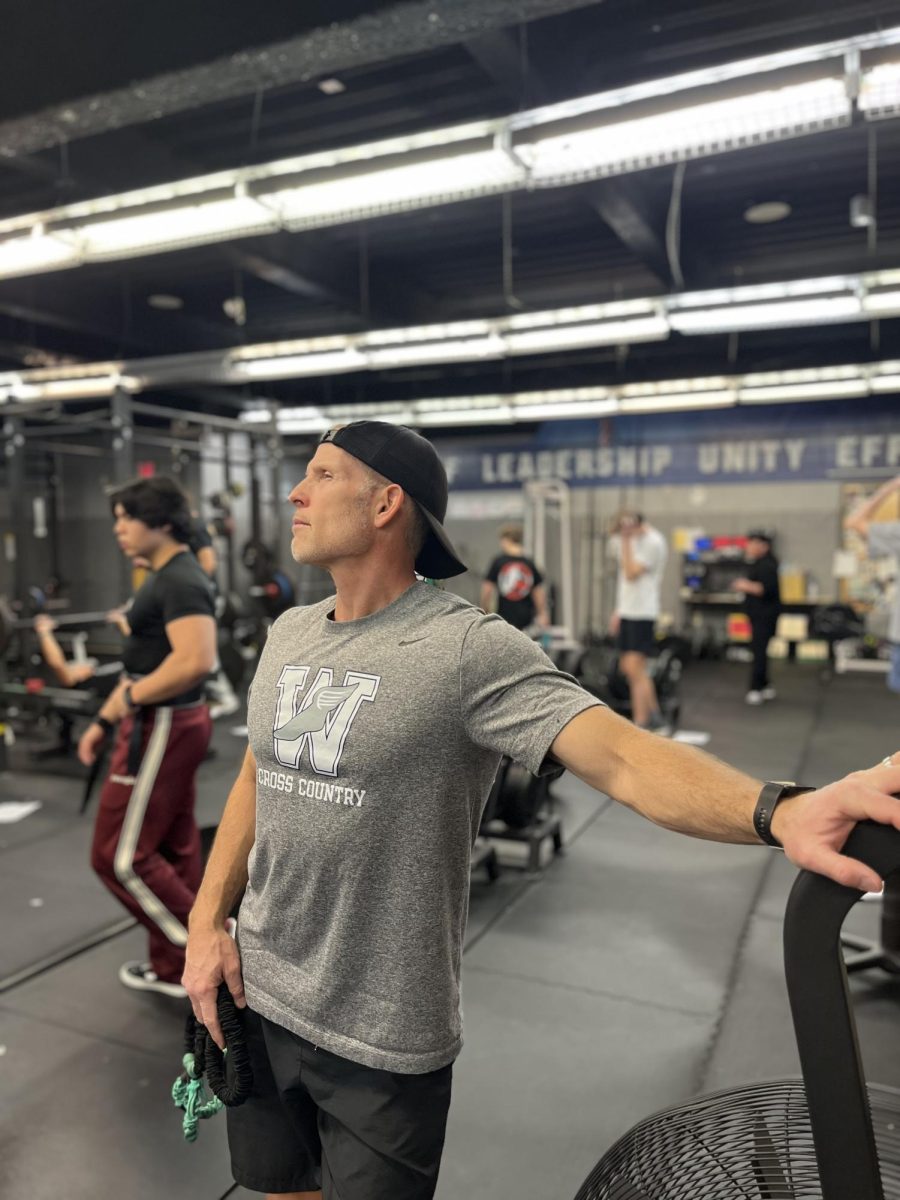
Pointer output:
693, 793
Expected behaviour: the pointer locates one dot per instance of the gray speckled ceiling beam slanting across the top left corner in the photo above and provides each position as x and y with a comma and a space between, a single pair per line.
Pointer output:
405, 29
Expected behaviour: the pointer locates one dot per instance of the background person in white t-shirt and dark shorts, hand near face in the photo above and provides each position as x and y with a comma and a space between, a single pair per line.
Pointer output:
641, 553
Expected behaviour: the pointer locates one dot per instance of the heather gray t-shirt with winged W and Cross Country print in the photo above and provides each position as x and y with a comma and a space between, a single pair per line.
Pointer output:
376, 743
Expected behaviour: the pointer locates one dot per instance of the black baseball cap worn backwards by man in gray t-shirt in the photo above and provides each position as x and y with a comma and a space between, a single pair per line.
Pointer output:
411, 461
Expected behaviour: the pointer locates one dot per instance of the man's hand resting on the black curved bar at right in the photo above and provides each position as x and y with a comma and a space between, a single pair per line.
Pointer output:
813, 827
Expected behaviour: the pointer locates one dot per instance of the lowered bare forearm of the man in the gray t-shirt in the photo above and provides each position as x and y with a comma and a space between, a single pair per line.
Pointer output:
226, 875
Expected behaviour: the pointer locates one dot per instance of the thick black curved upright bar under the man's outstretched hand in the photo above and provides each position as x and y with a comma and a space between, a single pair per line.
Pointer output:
824, 1021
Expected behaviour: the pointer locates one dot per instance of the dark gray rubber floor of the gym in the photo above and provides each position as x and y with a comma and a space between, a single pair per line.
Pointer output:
635, 970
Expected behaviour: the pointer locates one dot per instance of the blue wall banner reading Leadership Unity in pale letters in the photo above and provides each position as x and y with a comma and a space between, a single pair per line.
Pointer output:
785, 443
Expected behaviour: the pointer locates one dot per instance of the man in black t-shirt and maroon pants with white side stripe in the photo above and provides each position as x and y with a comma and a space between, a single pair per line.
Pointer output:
147, 847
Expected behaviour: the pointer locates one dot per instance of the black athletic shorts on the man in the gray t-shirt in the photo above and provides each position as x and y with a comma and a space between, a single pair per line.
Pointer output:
315, 1120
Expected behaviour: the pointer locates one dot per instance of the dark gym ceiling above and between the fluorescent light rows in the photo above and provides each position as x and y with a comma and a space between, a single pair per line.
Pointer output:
95, 101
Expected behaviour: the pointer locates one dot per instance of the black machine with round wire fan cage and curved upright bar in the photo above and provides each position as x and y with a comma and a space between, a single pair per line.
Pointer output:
826, 1137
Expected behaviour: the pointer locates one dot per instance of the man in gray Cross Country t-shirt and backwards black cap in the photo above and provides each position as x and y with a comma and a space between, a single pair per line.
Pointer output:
377, 722
